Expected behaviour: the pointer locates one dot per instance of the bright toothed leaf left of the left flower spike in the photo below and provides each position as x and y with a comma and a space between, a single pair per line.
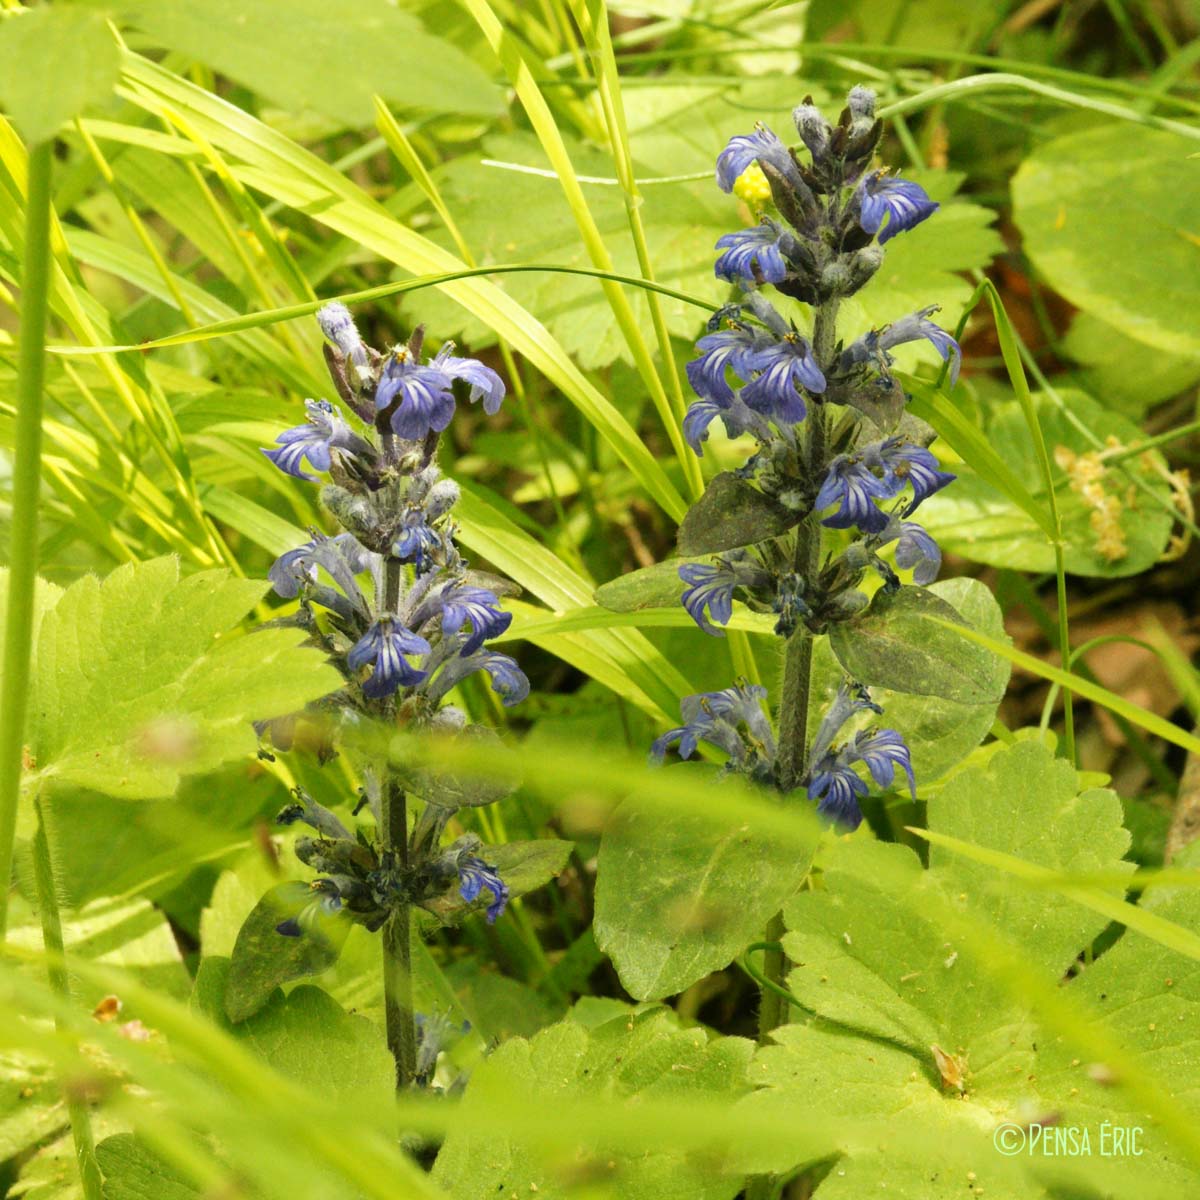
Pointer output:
141, 680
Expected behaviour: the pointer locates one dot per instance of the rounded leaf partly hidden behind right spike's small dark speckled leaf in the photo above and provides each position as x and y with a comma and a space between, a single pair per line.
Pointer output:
939, 733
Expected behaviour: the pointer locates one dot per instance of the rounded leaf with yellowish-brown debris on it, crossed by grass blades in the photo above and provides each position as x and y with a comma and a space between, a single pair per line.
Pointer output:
1111, 527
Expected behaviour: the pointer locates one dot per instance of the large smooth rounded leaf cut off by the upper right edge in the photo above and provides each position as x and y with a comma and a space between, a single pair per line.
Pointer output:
1117, 187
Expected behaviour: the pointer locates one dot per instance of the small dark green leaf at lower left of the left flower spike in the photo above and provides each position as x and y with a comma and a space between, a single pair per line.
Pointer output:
263, 958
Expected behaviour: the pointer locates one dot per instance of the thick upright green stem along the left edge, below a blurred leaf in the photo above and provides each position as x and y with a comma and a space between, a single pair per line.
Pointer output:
27, 476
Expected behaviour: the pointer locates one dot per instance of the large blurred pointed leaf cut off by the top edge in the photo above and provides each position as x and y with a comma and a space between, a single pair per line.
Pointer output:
391, 52
